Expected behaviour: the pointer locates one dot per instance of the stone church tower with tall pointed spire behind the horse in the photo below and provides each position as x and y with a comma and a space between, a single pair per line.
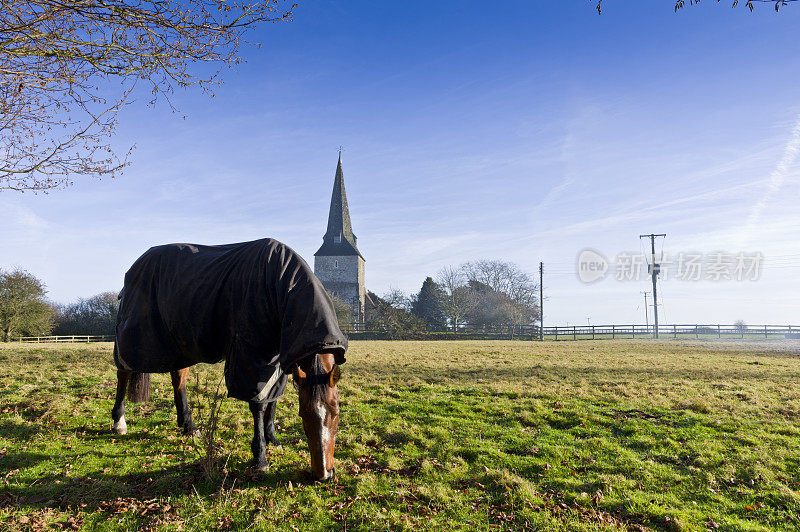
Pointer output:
338, 263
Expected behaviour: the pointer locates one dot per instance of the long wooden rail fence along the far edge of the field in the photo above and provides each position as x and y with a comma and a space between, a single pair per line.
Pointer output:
517, 332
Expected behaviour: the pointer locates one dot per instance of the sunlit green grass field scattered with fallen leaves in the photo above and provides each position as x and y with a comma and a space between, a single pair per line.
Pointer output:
587, 435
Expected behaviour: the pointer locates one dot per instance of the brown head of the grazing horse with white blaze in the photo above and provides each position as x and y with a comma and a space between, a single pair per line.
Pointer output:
316, 381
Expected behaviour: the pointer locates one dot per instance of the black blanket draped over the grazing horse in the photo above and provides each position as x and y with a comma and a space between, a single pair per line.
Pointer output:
257, 305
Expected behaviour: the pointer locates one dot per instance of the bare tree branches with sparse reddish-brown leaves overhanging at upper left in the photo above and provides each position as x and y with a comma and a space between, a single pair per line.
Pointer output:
68, 67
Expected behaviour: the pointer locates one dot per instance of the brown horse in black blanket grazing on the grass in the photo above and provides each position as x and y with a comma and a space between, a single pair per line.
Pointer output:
258, 306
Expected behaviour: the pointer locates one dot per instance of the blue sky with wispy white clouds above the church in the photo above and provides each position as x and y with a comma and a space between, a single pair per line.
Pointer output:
525, 131
